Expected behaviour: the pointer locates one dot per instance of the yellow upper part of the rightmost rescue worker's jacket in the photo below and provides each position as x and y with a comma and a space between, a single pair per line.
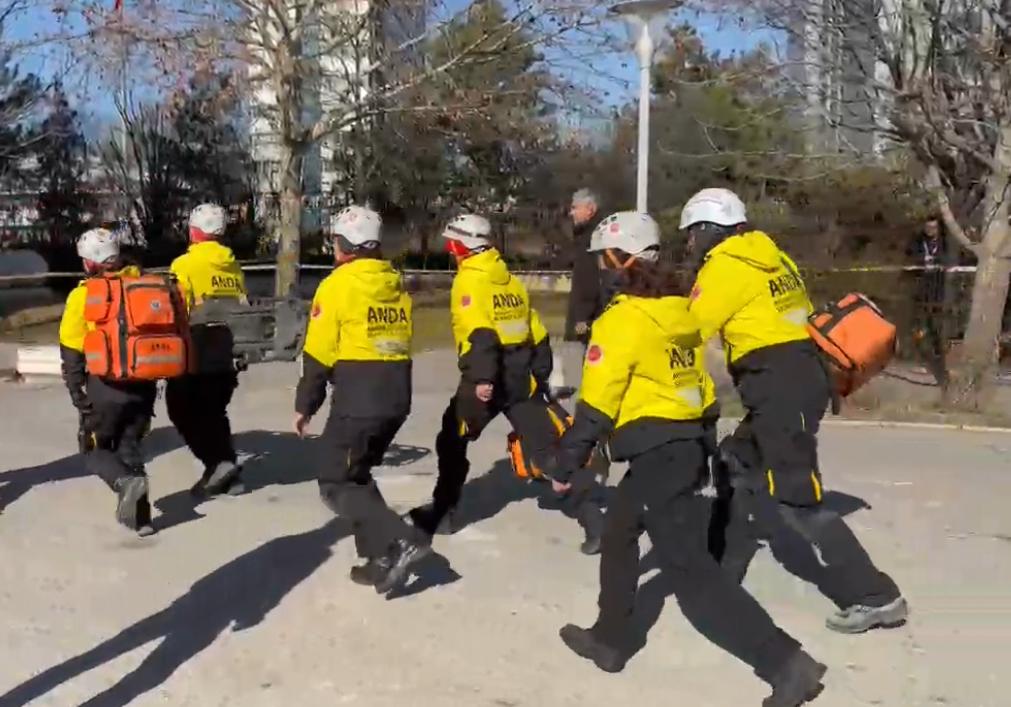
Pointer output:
751, 293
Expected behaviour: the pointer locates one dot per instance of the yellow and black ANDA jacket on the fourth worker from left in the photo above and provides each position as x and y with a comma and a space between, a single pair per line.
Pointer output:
500, 338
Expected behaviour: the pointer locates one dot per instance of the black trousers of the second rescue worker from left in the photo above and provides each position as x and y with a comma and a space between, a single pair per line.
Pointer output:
199, 407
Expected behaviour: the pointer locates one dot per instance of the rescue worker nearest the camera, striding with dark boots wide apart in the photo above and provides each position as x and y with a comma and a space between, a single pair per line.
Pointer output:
650, 396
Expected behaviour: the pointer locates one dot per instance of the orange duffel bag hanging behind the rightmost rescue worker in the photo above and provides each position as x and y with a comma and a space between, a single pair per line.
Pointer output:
857, 340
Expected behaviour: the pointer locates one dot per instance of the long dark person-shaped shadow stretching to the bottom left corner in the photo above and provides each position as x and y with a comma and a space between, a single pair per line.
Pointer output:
238, 595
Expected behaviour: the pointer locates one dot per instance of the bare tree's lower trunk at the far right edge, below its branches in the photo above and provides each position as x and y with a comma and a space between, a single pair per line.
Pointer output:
974, 377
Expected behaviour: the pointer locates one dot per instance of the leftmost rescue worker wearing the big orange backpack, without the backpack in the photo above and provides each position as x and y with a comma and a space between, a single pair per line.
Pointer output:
115, 415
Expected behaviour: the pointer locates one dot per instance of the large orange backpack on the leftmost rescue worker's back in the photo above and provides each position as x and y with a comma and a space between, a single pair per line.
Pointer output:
141, 330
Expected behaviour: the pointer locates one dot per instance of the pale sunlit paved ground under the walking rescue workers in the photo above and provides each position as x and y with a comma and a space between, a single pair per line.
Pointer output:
246, 601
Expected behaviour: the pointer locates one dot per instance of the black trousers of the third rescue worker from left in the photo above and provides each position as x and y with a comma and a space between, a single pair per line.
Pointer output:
347, 452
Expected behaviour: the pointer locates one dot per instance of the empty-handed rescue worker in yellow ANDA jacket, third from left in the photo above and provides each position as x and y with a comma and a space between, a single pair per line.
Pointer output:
359, 341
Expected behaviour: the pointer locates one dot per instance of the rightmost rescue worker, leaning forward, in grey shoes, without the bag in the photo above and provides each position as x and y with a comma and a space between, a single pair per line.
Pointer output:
751, 293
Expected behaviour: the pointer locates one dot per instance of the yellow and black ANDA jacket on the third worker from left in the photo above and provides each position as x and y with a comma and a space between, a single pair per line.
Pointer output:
359, 339
